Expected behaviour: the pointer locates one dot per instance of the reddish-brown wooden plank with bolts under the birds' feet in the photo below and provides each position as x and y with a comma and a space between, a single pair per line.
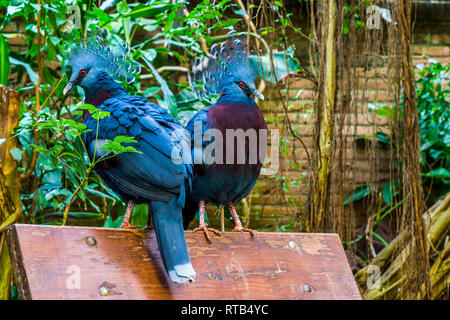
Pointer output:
96, 263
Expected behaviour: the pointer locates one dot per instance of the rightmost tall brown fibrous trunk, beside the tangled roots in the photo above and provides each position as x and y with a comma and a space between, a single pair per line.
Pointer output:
414, 206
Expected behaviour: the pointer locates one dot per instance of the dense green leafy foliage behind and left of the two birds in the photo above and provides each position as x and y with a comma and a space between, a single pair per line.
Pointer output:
164, 38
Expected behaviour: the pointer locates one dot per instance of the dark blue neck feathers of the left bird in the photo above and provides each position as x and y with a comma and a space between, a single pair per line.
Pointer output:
103, 88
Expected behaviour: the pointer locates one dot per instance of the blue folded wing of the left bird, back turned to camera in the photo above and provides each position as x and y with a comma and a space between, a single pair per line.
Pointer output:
157, 171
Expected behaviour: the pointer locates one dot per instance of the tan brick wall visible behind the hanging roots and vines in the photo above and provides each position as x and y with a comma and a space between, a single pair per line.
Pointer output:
273, 206
